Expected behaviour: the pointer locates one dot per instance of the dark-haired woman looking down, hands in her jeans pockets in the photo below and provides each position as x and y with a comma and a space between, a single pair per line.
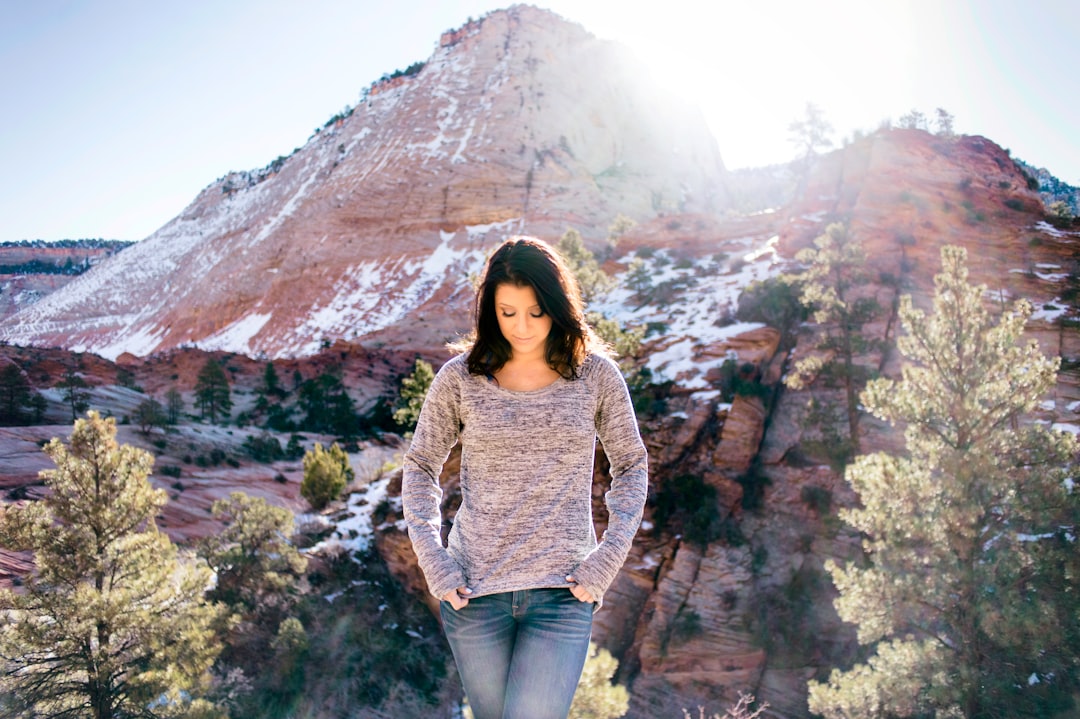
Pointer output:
522, 573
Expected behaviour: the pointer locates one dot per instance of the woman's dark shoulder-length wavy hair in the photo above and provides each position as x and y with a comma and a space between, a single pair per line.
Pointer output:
531, 263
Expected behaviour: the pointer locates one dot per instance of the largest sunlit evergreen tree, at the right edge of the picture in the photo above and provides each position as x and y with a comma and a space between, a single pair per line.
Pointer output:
969, 598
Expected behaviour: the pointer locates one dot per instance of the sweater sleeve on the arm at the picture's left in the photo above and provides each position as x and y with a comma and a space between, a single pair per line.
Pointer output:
437, 432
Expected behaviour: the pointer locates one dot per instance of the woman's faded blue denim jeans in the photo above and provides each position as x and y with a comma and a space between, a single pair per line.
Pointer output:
520, 655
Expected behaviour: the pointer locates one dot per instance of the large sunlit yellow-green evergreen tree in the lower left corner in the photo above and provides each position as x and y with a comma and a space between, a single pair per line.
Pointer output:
113, 623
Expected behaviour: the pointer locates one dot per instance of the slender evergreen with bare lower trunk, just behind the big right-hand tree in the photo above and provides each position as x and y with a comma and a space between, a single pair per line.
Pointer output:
832, 288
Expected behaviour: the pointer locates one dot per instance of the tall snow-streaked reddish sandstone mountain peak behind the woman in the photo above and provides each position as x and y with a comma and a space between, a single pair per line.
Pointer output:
519, 123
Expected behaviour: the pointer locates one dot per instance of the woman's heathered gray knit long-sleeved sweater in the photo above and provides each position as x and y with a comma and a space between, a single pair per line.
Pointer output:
525, 520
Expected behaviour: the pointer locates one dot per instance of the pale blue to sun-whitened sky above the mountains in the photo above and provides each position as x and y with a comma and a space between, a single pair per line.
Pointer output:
118, 113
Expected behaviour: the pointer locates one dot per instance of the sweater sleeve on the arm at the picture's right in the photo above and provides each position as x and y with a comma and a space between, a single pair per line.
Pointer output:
617, 429
